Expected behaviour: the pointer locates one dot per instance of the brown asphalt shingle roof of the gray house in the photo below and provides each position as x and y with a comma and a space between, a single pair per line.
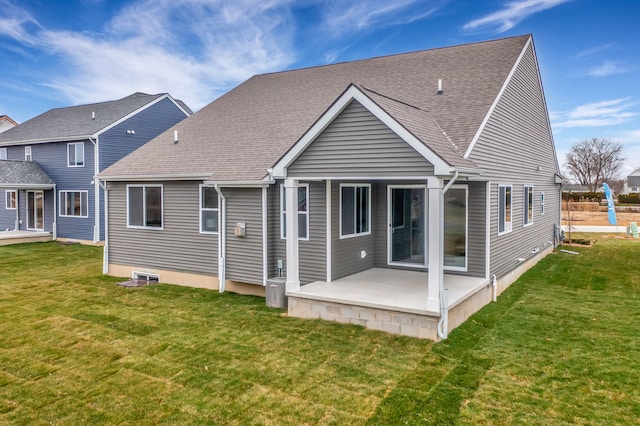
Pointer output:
247, 130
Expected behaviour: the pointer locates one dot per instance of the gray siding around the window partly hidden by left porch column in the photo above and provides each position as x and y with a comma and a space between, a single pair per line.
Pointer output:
313, 253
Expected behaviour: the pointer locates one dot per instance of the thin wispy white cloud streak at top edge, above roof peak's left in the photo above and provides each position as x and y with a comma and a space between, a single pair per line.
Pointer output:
512, 14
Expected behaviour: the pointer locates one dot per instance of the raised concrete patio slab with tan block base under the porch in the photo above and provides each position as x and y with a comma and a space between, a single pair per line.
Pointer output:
391, 300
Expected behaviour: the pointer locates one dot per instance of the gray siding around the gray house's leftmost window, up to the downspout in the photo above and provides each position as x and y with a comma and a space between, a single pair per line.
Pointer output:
178, 247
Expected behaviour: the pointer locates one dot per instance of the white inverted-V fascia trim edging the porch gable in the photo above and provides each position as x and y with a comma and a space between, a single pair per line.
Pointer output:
353, 93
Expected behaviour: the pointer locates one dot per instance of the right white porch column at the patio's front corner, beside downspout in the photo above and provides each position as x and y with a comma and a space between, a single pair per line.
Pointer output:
435, 248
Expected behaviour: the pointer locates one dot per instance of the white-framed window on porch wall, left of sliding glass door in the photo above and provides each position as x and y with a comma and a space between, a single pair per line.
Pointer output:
355, 210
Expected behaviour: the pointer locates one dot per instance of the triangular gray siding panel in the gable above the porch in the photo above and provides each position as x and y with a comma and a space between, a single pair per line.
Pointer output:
355, 144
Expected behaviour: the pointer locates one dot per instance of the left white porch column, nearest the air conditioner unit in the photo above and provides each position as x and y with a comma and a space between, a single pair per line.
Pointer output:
293, 259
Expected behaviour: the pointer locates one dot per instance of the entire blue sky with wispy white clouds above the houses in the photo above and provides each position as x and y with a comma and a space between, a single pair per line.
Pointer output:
65, 53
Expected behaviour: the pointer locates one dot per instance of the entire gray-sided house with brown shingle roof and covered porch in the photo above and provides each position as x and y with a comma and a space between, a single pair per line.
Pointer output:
414, 179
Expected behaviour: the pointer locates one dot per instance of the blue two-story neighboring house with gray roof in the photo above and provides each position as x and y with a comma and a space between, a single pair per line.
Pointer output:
49, 162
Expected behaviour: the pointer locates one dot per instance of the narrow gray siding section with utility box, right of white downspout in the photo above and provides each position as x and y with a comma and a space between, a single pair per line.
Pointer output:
244, 259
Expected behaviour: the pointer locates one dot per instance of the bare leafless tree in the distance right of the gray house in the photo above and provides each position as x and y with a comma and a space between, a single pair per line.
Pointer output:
594, 161
